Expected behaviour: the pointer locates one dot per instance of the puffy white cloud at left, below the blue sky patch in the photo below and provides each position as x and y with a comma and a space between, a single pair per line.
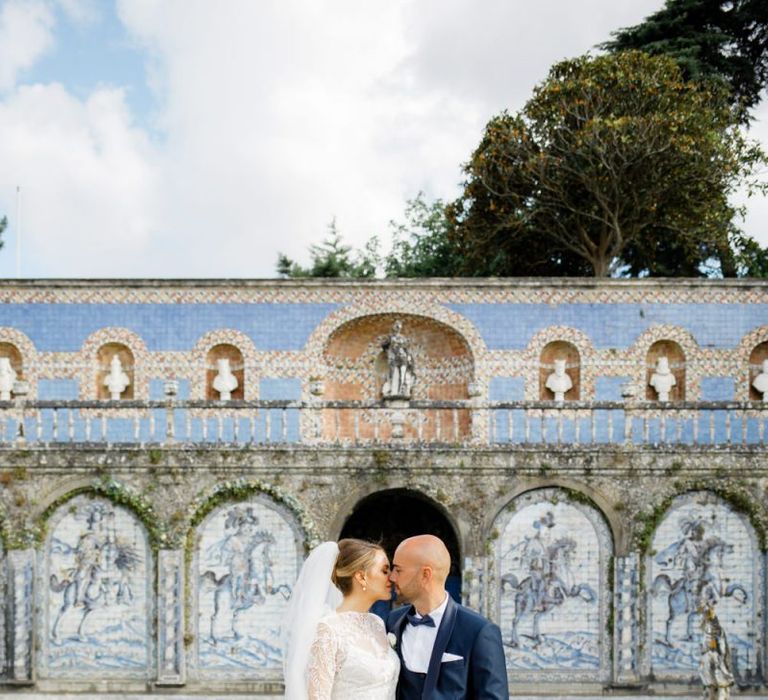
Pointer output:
87, 180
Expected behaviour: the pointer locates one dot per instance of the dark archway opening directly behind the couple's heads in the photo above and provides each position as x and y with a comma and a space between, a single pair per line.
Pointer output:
390, 516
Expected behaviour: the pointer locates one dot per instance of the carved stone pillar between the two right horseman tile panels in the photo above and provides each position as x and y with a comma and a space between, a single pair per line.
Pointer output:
626, 669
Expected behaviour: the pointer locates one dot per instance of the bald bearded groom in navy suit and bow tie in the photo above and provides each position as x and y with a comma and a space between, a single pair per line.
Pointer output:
447, 652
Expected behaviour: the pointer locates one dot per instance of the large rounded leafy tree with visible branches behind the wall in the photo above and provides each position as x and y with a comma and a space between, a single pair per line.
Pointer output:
615, 161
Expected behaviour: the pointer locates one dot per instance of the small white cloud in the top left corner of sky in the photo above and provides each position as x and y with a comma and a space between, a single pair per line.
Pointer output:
25, 35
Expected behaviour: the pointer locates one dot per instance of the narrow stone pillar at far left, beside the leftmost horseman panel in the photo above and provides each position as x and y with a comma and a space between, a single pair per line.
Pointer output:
20, 604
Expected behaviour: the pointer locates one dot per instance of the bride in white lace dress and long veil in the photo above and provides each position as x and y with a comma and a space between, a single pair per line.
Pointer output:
334, 649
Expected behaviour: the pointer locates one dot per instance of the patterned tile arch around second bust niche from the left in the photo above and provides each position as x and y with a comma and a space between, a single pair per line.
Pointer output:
125, 343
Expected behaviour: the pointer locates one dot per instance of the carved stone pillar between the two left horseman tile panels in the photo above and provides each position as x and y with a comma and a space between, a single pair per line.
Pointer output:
171, 666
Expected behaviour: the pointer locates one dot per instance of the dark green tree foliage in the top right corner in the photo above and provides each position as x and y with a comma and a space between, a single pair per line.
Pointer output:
726, 39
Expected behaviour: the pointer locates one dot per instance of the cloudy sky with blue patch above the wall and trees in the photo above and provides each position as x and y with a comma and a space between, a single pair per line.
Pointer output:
197, 138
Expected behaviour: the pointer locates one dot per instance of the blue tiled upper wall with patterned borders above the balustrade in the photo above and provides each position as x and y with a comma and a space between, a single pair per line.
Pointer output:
283, 331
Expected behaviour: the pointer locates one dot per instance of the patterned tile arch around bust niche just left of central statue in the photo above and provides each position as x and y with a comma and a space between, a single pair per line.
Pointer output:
200, 357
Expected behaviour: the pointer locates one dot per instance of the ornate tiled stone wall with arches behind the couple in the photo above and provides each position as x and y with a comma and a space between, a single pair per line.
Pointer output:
132, 563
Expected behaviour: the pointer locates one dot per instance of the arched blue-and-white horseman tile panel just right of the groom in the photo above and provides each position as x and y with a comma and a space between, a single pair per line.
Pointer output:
550, 587
